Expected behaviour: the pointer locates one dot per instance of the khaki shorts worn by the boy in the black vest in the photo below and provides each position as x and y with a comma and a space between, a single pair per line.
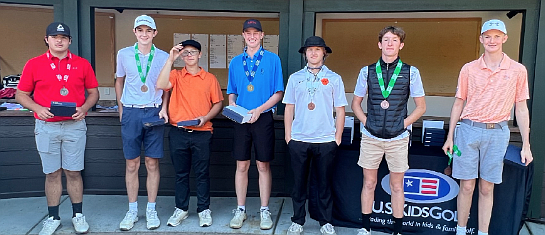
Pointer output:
372, 151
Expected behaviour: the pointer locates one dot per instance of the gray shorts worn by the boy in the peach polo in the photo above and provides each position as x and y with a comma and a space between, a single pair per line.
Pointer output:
482, 150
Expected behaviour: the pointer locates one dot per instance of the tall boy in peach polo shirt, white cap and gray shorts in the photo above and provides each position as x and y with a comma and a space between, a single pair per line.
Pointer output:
487, 89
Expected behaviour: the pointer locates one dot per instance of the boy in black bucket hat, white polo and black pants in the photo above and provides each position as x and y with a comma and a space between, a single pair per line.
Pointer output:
312, 95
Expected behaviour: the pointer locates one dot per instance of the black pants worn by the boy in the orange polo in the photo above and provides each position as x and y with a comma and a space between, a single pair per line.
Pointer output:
191, 149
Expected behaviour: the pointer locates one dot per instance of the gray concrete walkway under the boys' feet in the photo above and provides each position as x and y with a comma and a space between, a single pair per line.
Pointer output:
24, 216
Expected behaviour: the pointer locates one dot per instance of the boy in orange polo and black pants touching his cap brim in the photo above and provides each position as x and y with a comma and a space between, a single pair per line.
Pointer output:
195, 95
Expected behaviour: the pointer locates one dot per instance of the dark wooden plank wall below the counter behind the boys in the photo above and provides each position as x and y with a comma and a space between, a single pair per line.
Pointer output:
21, 172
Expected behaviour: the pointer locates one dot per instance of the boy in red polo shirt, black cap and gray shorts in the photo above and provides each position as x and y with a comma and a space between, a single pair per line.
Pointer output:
59, 76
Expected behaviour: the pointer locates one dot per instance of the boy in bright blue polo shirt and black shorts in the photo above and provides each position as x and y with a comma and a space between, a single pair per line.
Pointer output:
255, 83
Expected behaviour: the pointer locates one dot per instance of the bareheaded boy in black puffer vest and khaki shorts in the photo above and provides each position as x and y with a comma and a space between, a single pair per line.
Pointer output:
388, 83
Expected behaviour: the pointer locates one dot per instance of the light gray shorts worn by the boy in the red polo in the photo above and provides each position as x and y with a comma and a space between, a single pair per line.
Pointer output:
61, 144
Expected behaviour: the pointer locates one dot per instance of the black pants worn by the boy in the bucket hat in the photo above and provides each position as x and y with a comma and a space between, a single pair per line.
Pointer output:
319, 158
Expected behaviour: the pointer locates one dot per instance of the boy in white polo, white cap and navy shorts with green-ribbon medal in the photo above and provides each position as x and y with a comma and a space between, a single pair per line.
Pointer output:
140, 102
